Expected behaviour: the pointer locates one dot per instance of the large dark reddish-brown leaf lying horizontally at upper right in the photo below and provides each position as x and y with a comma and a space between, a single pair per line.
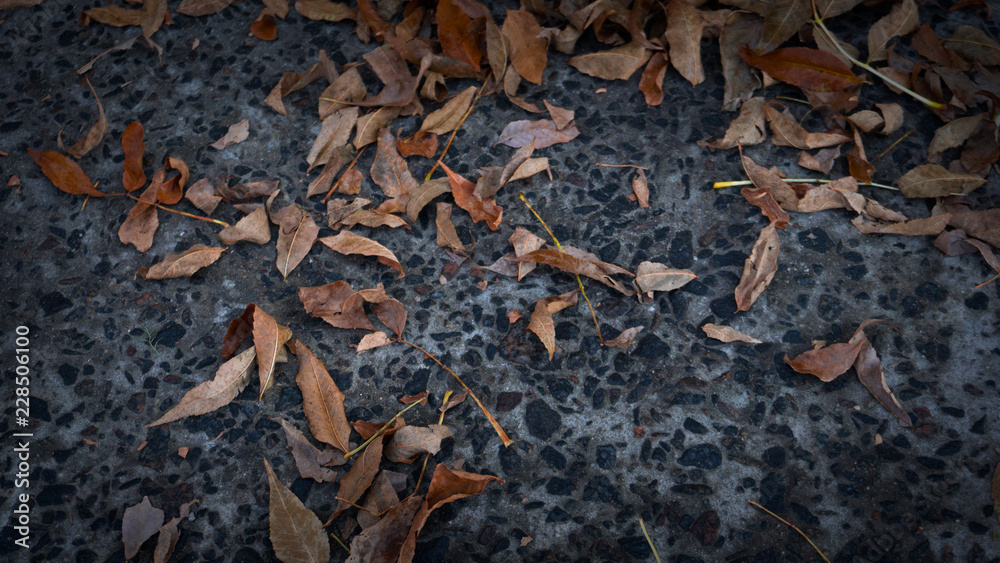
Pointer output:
806, 68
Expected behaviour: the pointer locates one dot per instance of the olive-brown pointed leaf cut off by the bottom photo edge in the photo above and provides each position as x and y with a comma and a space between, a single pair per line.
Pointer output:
295, 531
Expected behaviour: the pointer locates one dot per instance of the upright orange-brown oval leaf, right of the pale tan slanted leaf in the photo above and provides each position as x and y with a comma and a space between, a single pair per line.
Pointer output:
322, 401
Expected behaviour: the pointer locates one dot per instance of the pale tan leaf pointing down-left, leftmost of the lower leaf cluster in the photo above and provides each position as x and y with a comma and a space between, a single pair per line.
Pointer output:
230, 380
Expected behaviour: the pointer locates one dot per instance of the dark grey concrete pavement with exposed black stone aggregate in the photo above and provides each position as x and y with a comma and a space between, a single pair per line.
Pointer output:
680, 430
